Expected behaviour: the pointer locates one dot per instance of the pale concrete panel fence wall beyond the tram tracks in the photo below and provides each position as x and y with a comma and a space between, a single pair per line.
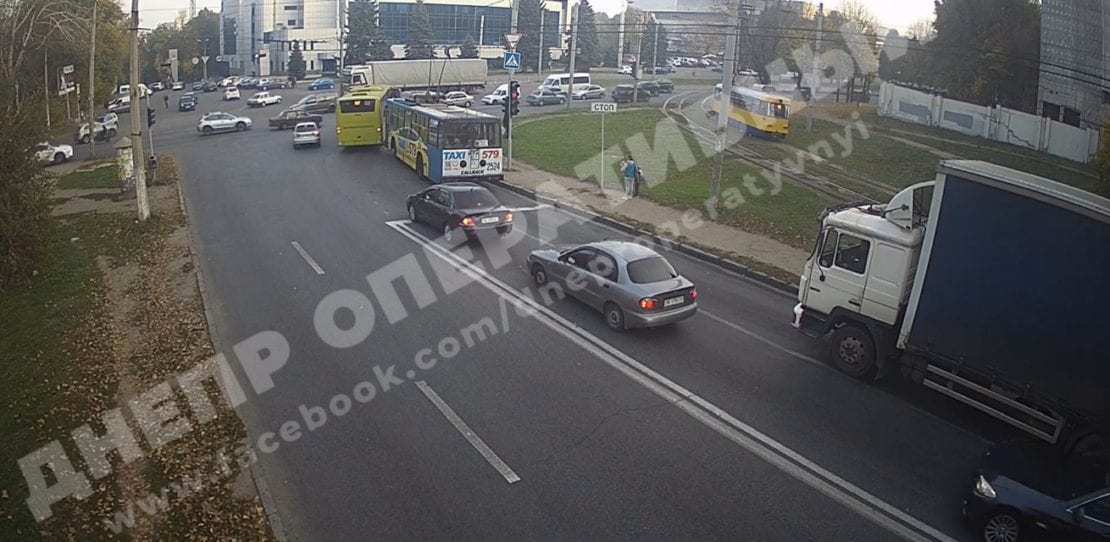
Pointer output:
996, 124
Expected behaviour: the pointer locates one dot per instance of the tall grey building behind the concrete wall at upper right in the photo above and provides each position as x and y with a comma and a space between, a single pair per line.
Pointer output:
1075, 62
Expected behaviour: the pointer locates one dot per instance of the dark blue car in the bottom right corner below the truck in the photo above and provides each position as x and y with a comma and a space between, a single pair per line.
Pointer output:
1033, 491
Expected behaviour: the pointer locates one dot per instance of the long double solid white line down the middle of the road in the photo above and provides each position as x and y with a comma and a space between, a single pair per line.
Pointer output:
806, 471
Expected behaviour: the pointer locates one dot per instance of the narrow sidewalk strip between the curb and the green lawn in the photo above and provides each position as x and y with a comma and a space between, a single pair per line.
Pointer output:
723, 240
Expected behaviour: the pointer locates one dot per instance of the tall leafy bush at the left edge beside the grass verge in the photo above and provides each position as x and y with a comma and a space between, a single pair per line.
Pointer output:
25, 190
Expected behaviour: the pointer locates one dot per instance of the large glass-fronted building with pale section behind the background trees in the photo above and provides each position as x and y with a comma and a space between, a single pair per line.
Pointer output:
257, 37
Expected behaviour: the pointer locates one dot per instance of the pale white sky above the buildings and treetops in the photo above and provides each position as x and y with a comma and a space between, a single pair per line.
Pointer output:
892, 14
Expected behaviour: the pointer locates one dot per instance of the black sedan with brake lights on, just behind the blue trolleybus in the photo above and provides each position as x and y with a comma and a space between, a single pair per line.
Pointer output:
460, 208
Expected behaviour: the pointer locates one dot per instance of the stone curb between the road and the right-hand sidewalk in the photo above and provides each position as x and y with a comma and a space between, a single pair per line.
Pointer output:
688, 249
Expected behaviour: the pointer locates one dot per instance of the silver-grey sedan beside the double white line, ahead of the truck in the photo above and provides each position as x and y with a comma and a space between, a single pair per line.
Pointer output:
633, 286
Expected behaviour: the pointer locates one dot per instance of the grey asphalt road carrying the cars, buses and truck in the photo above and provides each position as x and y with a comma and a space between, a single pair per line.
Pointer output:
722, 427
